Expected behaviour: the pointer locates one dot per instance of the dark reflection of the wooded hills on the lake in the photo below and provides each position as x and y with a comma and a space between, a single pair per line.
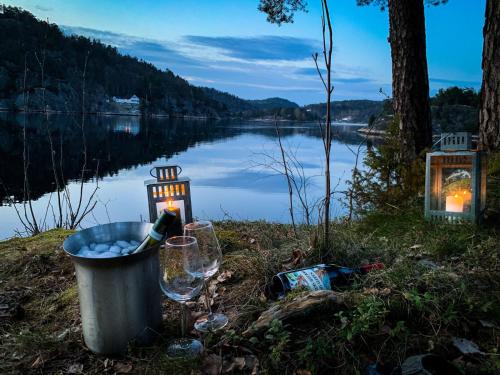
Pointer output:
116, 142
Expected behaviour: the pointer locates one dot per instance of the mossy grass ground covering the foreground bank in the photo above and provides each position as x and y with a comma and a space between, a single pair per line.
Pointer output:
440, 281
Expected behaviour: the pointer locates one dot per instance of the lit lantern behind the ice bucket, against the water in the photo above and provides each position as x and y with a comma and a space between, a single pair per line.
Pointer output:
168, 191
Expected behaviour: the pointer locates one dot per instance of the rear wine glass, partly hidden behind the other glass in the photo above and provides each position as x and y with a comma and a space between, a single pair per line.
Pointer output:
211, 257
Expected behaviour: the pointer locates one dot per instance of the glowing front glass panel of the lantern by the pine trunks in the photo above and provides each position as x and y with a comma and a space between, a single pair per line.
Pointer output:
451, 184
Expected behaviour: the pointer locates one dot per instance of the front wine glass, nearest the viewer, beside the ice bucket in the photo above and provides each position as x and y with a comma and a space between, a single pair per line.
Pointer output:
181, 279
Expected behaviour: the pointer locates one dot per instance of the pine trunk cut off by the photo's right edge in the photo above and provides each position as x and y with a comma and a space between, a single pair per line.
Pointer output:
489, 114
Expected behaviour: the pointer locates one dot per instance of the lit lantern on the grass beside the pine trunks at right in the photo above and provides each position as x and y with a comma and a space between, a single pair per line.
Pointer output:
455, 180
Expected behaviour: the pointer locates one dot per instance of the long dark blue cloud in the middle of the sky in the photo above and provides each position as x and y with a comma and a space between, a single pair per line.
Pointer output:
259, 48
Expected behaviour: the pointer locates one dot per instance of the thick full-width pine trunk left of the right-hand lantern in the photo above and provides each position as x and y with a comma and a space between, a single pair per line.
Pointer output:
410, 82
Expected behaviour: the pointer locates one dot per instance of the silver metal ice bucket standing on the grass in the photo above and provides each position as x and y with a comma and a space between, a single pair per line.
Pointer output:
119, 297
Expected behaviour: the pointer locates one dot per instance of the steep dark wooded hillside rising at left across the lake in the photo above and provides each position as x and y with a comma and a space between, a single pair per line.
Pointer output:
55, 65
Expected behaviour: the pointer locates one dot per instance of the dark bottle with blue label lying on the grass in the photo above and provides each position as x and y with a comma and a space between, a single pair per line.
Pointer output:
318, 277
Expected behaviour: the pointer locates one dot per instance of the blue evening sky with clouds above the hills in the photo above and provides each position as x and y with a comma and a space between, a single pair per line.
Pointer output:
229, 45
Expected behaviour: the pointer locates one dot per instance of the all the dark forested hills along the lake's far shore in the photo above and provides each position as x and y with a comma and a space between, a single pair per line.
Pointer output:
39, 59
